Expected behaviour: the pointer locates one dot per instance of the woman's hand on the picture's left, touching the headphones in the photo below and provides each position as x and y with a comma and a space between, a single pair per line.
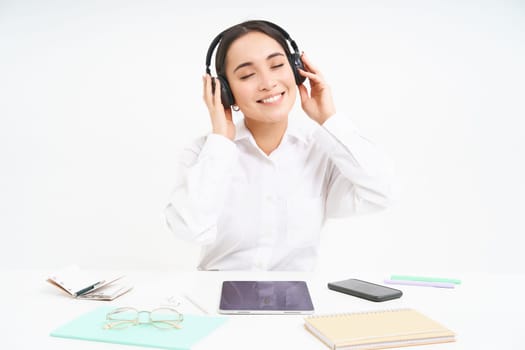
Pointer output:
221, 118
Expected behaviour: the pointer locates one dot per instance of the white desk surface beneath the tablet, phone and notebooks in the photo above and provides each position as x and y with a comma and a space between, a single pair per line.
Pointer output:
485, 310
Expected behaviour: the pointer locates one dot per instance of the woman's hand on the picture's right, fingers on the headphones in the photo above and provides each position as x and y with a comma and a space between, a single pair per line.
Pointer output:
319, 105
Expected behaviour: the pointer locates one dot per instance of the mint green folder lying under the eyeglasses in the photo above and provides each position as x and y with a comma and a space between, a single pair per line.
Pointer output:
90, 327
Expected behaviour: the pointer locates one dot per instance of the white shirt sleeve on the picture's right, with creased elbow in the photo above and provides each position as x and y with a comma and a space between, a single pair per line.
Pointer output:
360, 175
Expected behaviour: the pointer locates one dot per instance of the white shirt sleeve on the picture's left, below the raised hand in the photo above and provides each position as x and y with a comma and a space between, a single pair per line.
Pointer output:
203, 177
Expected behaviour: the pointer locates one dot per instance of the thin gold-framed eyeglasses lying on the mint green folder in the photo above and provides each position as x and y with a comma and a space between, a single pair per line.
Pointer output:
162, 317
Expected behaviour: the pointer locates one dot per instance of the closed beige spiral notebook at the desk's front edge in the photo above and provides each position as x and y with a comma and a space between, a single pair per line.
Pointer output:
377, 329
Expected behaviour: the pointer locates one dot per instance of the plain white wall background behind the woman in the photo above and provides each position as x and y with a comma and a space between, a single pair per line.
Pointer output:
97, 98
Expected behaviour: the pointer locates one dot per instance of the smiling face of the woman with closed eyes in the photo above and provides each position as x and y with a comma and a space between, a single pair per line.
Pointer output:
260, 77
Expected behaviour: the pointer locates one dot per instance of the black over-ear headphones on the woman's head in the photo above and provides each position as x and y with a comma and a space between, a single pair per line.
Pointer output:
293, 57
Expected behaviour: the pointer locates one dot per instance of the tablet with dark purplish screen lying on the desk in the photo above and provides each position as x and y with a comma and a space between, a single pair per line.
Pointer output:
265, 297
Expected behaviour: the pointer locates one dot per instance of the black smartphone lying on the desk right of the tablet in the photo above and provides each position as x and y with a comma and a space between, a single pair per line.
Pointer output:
365, 290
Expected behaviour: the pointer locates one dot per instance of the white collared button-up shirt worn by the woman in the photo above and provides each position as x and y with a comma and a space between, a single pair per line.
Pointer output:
252, 211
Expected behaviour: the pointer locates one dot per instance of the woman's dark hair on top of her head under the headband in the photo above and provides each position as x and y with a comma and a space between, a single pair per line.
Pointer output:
235, 32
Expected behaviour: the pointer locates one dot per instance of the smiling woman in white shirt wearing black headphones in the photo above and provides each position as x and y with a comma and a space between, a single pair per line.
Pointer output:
256, 194
